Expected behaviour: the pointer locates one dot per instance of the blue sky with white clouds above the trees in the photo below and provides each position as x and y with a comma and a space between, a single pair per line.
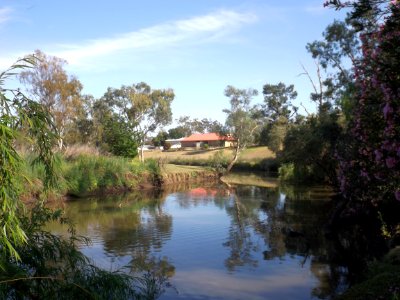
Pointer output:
196, 47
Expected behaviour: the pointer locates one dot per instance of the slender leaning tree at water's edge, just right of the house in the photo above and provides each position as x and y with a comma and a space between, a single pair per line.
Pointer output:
242, 119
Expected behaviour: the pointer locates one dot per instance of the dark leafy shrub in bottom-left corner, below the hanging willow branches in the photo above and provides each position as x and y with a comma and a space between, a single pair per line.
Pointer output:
50, 267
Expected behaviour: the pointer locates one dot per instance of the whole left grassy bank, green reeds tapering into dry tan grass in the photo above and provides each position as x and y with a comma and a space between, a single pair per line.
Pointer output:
84, 175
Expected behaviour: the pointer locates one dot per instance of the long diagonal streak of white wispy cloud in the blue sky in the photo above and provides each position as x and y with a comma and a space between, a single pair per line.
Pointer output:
199, 29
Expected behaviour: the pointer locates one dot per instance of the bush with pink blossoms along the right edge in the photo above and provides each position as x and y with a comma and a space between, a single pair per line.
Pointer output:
369, 161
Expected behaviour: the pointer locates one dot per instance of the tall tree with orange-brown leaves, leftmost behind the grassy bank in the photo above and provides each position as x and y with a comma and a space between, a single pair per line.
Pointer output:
50, 84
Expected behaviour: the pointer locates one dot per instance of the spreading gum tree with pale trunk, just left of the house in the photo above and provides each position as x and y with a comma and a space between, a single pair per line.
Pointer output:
145, 109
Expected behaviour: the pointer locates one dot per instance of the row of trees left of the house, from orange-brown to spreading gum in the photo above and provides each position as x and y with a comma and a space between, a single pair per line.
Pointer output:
118, 122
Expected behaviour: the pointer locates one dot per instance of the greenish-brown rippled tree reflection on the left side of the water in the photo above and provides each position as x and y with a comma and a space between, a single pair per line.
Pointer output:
132, 225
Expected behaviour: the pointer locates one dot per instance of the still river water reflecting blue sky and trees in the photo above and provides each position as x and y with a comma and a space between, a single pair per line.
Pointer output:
217, 241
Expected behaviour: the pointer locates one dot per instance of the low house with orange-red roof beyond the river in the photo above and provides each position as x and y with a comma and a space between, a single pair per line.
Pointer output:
212, 140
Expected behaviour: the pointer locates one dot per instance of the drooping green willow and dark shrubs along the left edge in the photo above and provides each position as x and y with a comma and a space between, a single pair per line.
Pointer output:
35, 263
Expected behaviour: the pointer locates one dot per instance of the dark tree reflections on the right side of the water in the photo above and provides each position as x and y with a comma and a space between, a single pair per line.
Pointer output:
289, 222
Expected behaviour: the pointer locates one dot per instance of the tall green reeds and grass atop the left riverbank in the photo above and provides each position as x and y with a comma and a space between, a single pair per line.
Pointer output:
82, 175
